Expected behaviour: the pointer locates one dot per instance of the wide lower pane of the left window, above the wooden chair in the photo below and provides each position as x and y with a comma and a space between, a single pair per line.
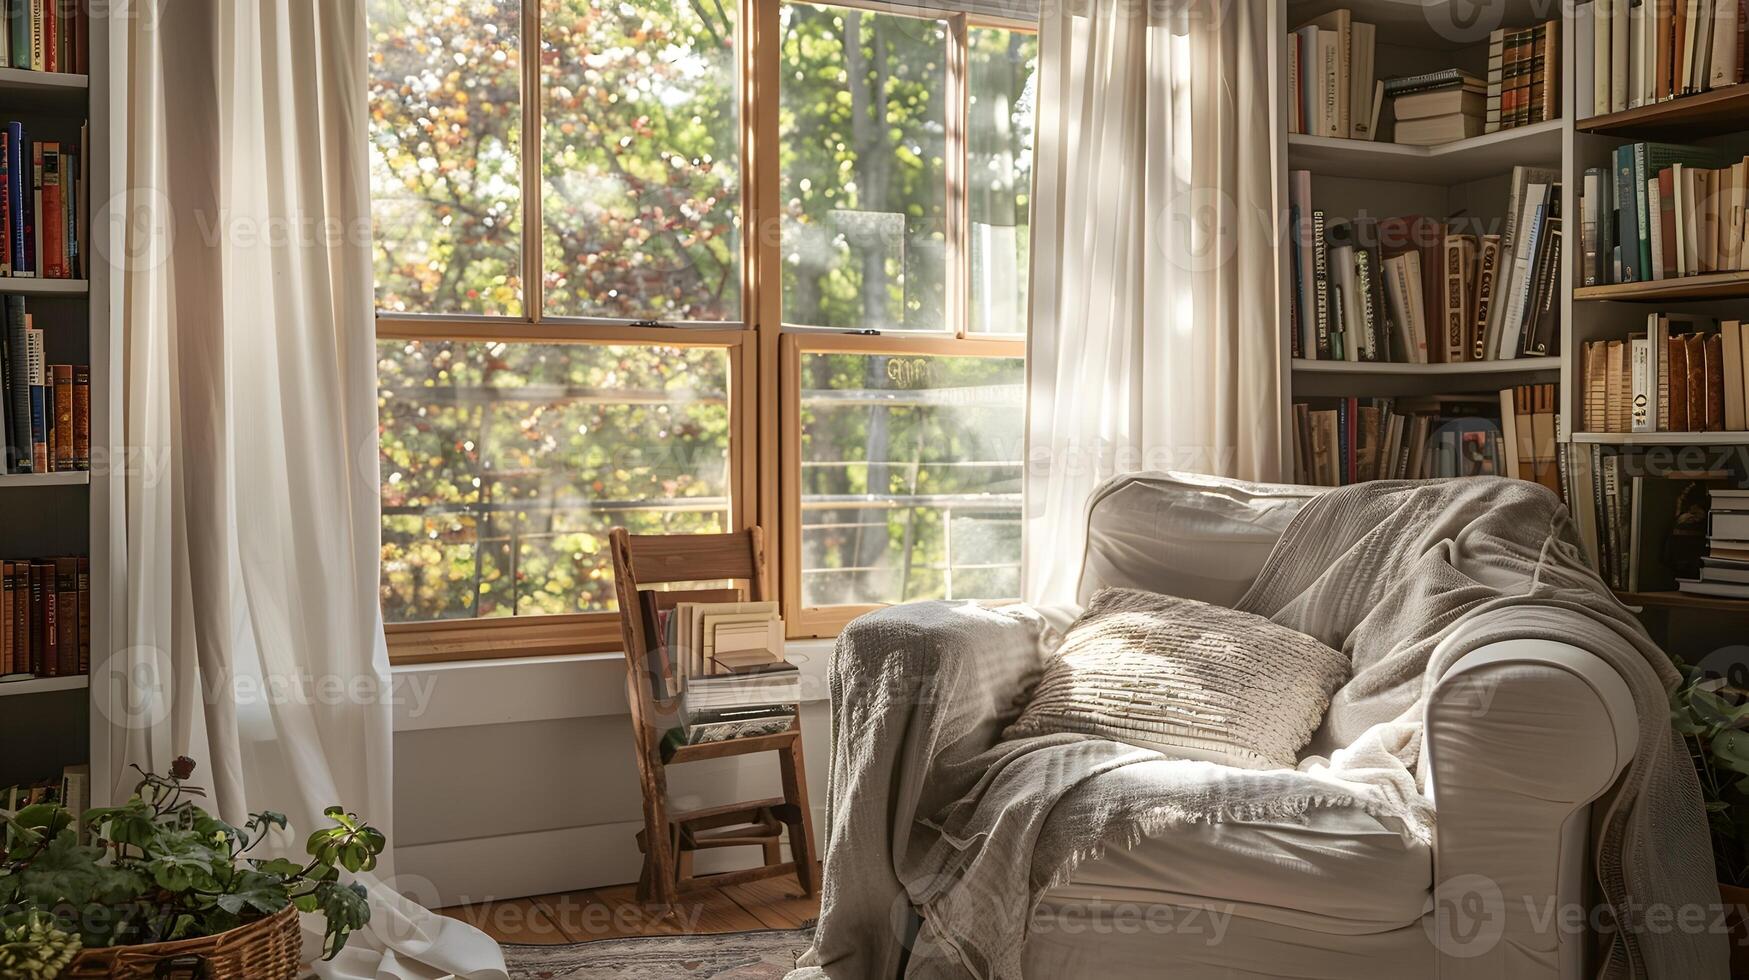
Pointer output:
505, 466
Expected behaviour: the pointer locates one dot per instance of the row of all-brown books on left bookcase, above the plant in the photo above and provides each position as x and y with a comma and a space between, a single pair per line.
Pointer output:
45, 619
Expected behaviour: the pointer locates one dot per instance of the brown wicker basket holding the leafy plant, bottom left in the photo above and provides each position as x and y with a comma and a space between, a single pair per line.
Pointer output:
261, 951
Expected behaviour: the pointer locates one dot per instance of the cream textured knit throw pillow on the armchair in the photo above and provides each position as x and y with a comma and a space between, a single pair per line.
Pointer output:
1188, 680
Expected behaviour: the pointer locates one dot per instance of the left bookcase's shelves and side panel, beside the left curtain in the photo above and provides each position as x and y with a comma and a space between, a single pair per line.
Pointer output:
48, 724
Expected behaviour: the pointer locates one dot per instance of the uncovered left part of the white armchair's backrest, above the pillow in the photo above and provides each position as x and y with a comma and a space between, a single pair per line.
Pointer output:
1185, 535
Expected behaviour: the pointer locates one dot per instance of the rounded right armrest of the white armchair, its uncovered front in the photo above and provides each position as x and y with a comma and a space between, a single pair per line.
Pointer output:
1521, 738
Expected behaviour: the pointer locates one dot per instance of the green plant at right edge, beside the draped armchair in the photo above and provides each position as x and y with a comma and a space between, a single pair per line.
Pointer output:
1711, 715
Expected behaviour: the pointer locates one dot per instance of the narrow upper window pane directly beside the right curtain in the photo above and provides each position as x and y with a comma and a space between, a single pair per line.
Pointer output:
1000, 174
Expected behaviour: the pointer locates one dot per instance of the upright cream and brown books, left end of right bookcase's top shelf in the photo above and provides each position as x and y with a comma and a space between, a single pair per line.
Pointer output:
1332, 81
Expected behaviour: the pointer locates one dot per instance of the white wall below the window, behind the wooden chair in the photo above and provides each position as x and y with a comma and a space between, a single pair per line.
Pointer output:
519, 776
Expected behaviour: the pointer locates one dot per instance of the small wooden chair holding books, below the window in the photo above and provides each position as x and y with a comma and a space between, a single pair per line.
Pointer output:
669, 841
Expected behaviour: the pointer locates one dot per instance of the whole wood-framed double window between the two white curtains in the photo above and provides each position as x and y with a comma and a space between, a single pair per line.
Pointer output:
578, 332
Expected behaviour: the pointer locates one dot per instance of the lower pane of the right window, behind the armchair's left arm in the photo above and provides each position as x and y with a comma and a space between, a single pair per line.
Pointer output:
910, 477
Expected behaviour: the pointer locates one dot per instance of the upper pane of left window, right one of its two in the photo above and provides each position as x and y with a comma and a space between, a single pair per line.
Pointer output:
643, 185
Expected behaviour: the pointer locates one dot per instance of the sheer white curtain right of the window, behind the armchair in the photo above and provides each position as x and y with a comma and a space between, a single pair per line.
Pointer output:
1155, 340
